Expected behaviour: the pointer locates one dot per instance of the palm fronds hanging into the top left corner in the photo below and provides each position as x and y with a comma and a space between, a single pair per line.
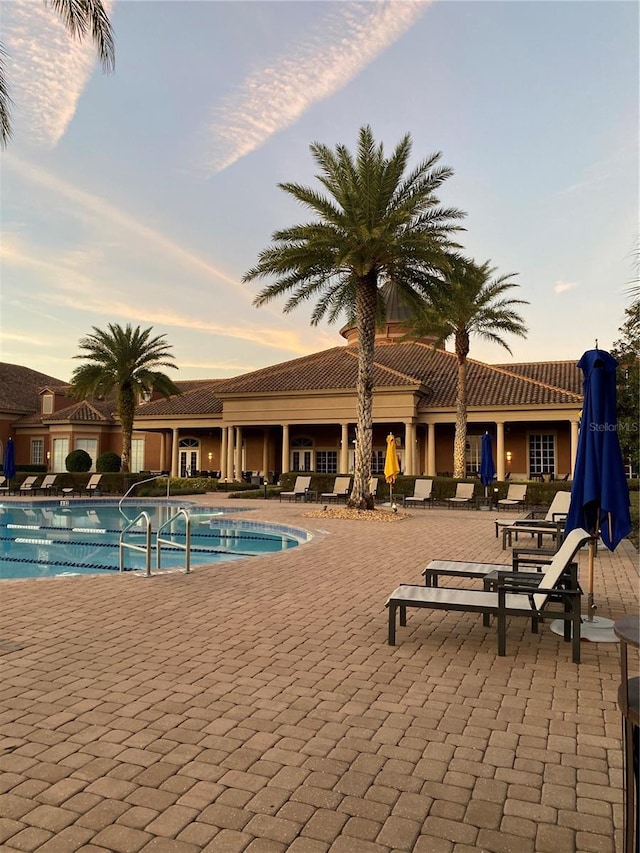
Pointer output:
80, 17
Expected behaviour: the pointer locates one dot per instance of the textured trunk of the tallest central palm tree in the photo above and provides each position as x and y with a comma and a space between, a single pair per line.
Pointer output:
366, 303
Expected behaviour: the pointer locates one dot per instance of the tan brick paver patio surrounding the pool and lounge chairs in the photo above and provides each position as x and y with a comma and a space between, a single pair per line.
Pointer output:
257, 706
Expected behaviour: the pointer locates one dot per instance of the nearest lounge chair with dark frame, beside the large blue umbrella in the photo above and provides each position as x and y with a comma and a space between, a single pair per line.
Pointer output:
518, 594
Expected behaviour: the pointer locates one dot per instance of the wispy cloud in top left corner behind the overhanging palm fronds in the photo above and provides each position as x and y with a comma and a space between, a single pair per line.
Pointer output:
47, 69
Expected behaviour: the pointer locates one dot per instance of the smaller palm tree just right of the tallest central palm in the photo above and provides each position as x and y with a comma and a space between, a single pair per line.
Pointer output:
467, 302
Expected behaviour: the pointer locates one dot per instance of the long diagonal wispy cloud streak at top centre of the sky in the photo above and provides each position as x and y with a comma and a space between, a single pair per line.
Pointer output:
270, 100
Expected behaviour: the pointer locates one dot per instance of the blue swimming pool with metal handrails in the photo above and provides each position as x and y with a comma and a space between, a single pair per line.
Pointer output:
58, 538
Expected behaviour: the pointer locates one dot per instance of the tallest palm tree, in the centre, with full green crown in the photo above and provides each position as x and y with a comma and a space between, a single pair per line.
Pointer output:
375, 224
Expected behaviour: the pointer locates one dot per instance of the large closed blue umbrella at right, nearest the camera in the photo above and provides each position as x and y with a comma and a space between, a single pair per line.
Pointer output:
599, 491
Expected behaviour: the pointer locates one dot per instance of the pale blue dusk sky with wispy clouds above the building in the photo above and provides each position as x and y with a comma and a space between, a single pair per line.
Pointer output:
144, 196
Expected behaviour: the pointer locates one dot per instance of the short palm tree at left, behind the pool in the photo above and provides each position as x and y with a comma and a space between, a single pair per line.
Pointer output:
125, 361
